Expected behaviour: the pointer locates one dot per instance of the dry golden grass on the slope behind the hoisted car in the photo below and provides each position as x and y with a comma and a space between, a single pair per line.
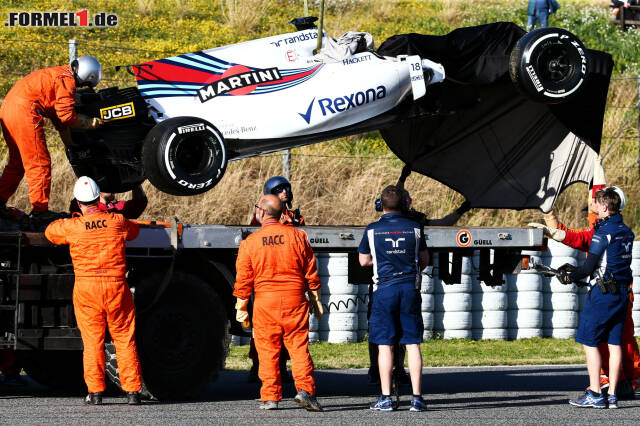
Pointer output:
334, 184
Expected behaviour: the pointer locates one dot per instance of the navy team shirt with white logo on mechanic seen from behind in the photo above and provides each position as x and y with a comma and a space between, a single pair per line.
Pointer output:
394, 243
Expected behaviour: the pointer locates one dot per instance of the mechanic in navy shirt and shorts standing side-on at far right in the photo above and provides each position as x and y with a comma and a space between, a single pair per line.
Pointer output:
604, 312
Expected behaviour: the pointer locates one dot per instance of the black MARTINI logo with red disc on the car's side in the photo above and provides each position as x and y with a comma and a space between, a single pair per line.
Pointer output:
238, 80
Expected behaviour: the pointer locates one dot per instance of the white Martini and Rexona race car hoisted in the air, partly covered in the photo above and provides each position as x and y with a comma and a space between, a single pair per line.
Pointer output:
192, 113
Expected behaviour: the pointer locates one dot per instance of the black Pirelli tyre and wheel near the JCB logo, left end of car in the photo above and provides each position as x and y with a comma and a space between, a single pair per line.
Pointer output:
184, 156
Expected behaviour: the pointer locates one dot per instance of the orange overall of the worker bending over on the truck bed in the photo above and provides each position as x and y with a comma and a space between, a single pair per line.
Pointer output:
48, 92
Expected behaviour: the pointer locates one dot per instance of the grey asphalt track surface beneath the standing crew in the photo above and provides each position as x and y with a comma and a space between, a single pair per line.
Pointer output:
467, 395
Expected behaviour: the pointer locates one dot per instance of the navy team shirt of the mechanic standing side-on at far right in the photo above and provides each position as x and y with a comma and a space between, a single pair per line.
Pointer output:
612, 243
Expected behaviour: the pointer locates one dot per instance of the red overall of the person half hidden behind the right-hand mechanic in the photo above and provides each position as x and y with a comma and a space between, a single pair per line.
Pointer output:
581, 239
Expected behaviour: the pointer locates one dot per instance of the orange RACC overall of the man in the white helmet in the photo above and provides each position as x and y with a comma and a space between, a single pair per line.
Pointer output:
101, 295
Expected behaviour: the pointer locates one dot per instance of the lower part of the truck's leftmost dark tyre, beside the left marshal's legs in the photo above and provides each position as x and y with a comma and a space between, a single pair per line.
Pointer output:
56, 369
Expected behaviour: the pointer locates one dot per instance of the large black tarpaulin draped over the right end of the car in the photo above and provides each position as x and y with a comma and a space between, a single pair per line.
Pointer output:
478, 135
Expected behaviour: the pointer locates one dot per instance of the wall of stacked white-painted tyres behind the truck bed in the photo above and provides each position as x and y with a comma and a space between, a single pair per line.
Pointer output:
526, 305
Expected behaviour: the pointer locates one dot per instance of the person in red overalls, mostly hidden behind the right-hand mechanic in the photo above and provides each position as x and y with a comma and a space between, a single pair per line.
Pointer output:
580, 239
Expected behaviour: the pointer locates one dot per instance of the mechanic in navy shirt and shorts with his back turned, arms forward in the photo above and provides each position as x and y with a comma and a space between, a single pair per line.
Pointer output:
396, 248
